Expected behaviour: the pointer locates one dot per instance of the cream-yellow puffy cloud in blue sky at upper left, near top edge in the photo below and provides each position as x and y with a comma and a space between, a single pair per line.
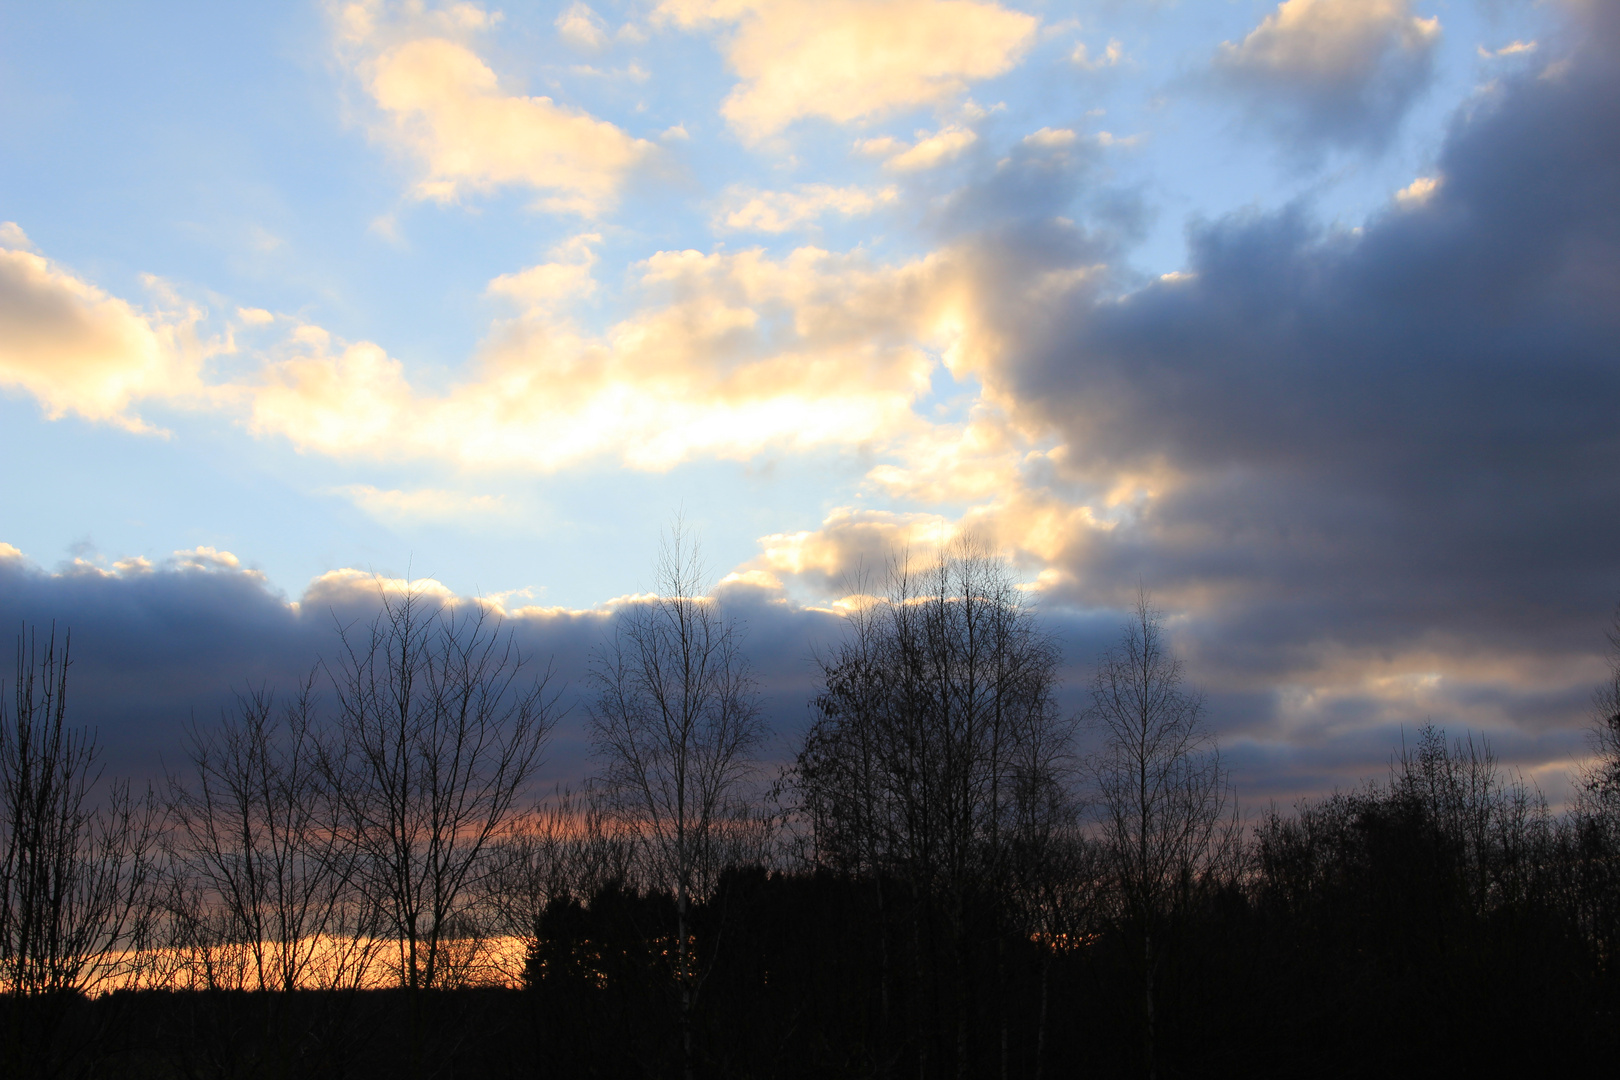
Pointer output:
443, 106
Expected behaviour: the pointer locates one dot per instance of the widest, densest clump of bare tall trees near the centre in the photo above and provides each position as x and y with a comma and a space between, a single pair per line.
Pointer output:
936, 739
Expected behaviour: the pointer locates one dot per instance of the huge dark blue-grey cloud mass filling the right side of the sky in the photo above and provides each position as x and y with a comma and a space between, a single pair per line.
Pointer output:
1396, 441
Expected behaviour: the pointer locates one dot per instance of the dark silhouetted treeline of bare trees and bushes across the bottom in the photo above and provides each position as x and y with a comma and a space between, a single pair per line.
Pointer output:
347, 878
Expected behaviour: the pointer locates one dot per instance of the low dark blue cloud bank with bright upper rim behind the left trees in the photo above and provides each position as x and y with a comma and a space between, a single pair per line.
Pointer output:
163, 645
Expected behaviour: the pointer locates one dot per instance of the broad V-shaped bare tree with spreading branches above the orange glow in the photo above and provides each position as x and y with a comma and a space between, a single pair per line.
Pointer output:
438, 736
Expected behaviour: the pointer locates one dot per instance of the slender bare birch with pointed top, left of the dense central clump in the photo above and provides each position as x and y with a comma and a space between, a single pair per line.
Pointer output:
676, 723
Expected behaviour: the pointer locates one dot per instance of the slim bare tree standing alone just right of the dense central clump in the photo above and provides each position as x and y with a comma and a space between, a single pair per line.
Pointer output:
1161, 786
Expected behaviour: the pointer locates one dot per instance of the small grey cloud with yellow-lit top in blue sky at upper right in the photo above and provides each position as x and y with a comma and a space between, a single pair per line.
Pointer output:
1331, 72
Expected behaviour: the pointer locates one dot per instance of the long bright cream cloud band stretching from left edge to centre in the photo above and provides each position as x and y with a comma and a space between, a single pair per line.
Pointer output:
723, 357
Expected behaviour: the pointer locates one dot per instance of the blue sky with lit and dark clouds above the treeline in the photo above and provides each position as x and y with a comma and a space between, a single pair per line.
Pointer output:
1305, 318
